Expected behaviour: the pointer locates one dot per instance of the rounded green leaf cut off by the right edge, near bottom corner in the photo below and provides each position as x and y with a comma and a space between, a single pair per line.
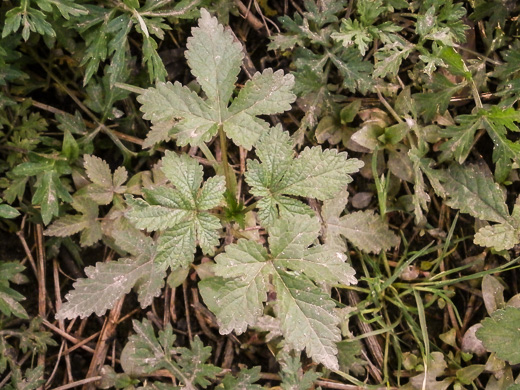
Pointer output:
501, 334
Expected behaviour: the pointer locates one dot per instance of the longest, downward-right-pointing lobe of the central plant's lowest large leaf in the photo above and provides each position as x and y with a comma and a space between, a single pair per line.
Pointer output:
308, 319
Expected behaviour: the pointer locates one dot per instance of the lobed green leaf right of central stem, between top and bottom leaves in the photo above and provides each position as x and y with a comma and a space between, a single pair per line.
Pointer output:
315, 173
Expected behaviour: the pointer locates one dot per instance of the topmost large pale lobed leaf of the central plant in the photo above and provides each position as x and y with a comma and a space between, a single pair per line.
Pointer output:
215, 57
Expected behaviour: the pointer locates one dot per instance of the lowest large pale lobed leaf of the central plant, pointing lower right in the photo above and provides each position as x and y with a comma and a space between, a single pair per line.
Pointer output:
247, 271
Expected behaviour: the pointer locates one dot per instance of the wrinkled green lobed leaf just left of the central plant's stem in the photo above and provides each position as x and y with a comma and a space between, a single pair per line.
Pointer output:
180, 212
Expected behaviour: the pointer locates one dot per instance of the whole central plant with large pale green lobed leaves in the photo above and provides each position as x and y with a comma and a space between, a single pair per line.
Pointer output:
186, 214
